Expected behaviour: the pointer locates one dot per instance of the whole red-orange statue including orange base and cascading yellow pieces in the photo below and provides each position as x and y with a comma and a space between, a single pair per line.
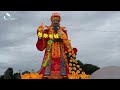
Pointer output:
59, 57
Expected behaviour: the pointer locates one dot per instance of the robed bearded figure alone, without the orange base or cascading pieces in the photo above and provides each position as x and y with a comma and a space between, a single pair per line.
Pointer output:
54, 40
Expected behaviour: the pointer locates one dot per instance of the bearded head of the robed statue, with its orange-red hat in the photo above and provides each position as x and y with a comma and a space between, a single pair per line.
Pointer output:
55, 19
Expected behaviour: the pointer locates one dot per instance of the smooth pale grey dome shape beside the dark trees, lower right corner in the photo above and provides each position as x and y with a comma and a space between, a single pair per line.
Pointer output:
110, 72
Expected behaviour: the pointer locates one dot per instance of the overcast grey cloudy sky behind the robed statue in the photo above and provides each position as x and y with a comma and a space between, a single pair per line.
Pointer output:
96, 35
